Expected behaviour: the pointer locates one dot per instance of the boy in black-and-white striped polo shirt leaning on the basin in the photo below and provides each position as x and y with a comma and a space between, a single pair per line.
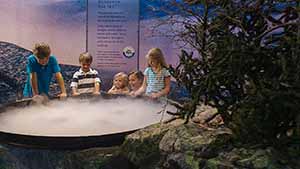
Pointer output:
86, 79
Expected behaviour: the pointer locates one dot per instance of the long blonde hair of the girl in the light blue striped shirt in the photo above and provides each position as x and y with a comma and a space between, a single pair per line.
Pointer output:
157, 54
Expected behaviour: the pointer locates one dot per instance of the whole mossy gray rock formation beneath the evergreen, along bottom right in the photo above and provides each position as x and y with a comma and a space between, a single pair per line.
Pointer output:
187, 146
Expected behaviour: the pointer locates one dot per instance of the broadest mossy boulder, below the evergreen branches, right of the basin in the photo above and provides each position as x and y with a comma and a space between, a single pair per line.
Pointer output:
190, 137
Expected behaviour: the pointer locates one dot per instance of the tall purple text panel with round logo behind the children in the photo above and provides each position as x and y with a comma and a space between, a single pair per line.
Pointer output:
113, 34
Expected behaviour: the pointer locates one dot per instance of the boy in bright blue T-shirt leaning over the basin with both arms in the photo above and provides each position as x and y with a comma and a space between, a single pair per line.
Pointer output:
40, 68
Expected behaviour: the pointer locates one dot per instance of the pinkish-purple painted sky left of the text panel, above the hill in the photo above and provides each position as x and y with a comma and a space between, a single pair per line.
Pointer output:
26, 22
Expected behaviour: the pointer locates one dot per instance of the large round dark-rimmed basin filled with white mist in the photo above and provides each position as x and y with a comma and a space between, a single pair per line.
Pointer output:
77, 123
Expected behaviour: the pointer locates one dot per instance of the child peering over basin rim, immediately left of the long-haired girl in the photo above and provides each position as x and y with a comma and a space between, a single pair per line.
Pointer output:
135, 80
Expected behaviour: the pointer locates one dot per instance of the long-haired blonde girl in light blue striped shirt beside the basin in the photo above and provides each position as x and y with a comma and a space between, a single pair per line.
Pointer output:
157, 78
